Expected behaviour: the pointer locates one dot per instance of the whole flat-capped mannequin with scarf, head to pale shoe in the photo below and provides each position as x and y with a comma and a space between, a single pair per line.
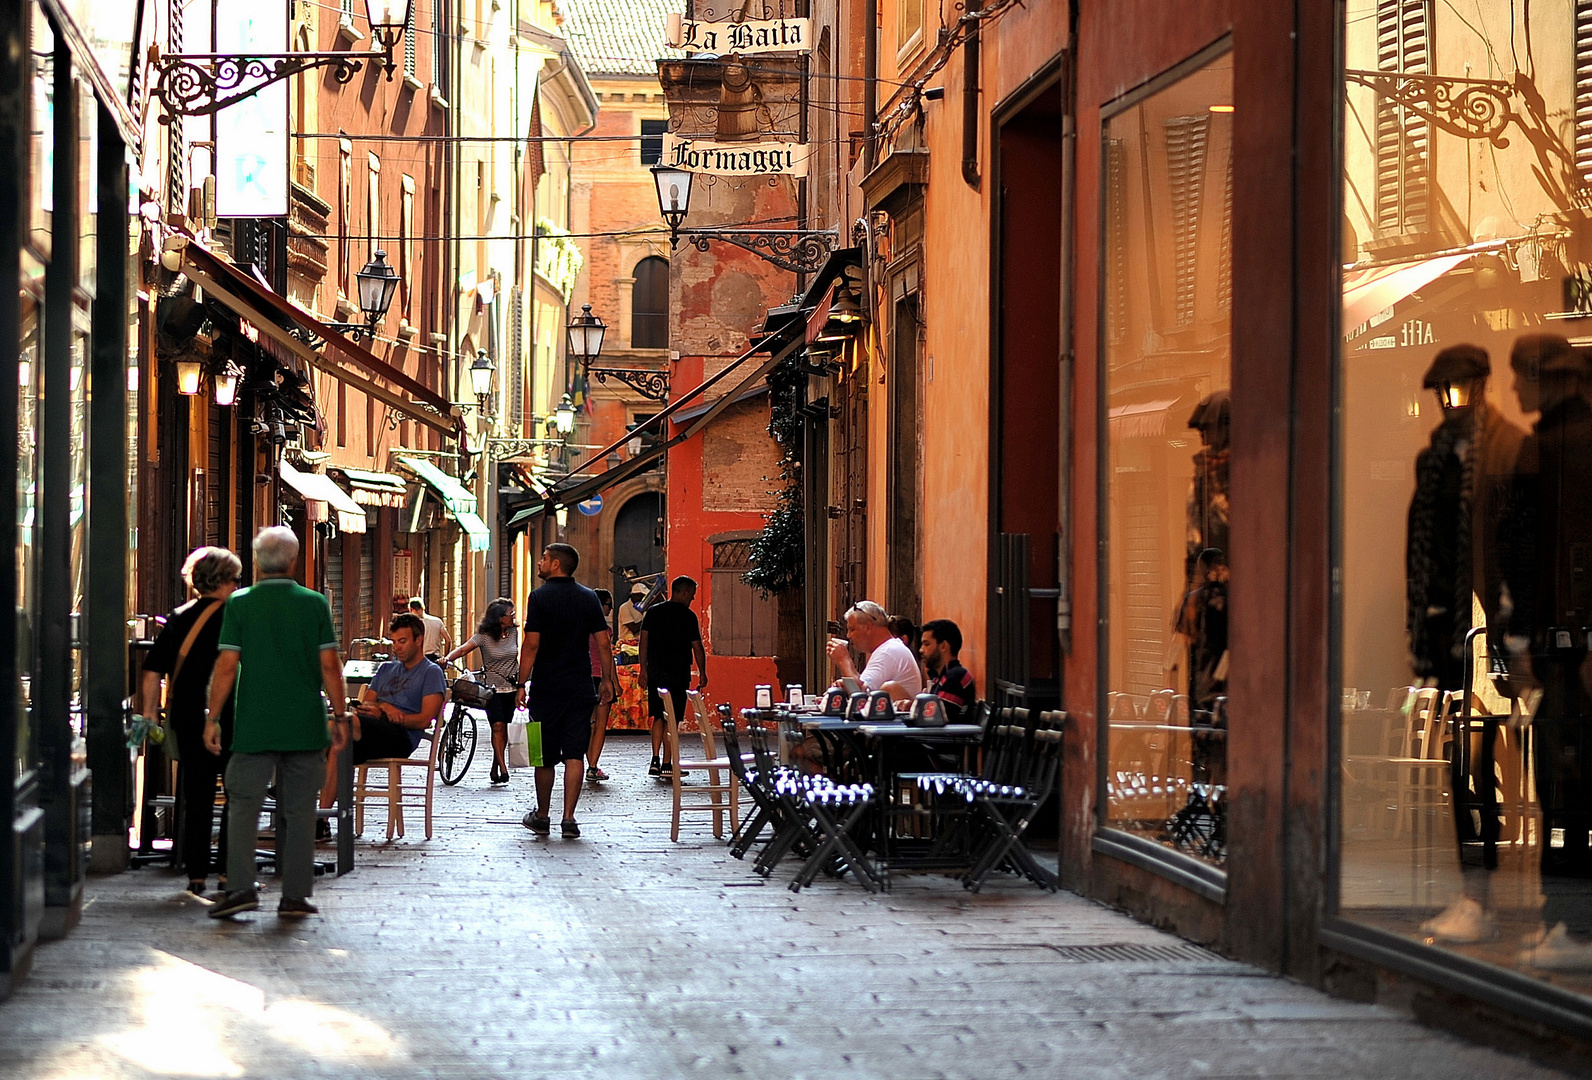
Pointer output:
1462, 487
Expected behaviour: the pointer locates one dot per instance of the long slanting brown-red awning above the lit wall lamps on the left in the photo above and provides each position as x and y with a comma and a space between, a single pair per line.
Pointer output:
343, 359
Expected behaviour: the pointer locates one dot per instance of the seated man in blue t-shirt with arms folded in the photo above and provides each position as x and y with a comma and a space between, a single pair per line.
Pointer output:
397, 708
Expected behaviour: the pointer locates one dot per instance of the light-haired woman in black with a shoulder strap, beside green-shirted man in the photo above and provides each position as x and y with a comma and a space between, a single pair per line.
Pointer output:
184, 657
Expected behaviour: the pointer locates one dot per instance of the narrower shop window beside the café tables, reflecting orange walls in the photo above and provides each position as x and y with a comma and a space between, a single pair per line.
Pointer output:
1166, 338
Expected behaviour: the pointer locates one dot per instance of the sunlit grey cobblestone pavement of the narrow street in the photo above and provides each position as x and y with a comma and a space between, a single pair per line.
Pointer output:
493, 953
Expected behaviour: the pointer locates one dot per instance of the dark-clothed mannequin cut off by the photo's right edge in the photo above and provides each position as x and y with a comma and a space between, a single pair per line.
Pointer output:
1547, 549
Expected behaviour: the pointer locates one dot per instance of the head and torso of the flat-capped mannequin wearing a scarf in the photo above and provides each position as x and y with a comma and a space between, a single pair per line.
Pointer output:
1462, 479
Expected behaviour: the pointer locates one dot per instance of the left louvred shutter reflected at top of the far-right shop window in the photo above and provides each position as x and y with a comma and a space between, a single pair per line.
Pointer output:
1403, 138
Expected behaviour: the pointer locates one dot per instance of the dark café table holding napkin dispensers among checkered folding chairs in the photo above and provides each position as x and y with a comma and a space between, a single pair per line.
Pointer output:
903, 835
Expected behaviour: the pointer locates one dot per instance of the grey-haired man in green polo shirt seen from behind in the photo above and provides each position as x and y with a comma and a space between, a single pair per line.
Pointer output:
279, 651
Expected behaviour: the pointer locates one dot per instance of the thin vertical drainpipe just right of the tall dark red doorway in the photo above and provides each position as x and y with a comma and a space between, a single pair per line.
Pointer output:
1064, 518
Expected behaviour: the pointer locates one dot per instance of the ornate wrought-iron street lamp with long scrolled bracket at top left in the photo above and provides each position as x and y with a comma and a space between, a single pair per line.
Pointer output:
203, 84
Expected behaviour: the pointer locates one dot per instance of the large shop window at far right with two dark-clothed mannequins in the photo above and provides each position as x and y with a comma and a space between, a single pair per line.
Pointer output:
1465, 463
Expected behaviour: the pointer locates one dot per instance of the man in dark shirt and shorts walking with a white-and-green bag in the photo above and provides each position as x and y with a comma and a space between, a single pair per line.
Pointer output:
556, 663
